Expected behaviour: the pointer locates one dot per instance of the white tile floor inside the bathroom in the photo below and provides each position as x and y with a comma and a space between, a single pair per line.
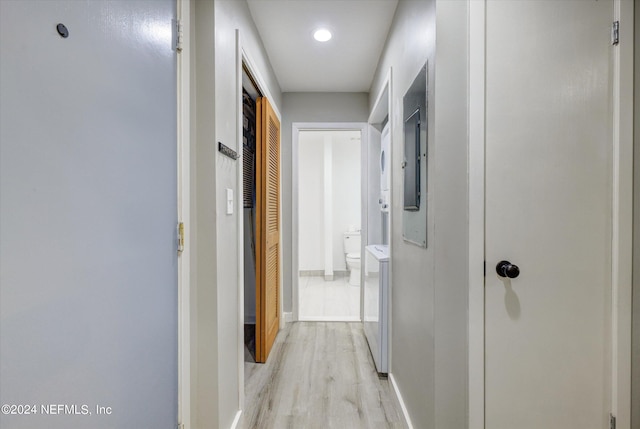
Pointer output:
321, 300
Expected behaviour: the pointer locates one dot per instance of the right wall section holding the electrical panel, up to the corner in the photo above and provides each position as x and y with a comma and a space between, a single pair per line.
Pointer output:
410, 43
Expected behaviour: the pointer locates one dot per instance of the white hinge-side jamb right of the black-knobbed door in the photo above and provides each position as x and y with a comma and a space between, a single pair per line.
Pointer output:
622, 244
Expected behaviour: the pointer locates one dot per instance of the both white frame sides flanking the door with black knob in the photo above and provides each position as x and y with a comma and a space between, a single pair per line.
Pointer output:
622, 213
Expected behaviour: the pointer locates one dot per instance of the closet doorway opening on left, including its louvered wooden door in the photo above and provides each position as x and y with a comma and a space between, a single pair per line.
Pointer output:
261, 221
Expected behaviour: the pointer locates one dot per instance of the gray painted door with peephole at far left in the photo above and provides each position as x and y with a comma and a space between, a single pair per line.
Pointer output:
88, 274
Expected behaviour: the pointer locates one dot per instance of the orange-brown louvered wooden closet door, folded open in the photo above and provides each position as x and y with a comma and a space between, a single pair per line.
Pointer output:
268, 229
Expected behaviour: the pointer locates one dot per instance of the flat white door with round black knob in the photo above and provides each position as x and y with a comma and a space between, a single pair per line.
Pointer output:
548, 211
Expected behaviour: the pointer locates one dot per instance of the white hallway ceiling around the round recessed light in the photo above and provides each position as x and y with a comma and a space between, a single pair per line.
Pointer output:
346, 63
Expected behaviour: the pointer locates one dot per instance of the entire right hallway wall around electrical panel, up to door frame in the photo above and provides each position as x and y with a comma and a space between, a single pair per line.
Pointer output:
429, 286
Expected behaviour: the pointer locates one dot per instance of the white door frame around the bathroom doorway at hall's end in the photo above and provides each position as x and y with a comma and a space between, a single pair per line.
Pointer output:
296, 127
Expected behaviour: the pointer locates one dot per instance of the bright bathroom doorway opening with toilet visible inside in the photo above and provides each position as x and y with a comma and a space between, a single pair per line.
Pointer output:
329, 224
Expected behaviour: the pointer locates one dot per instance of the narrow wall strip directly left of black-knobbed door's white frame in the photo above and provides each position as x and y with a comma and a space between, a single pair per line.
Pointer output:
451, 199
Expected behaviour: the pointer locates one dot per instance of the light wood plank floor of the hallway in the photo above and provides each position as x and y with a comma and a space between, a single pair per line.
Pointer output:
319, 375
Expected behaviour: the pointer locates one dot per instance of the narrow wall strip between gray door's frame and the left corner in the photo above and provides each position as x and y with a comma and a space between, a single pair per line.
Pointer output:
204, 338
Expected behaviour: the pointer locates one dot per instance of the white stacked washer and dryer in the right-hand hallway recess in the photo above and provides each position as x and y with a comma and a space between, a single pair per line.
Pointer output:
376, 275
